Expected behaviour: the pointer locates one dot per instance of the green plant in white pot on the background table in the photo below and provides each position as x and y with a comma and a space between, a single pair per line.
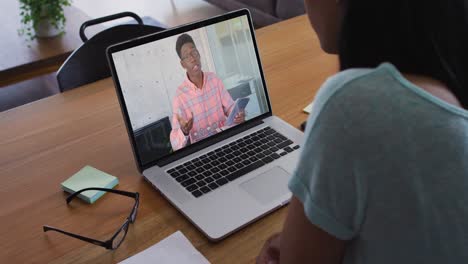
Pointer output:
42, 18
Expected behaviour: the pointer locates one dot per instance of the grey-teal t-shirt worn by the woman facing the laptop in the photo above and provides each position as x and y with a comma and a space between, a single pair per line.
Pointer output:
385, 166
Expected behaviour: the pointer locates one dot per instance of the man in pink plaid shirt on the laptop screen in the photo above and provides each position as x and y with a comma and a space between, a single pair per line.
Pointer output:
201, 104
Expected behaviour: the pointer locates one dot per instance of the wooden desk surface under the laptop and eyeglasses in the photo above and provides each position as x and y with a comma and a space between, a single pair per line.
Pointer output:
43, 143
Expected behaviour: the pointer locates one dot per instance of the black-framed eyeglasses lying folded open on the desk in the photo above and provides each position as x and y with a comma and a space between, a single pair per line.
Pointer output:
115, 241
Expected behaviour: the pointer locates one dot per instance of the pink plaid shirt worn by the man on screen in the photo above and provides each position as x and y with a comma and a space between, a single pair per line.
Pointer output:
210, 107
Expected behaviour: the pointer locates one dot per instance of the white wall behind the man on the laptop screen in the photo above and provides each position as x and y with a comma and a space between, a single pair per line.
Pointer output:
150, 74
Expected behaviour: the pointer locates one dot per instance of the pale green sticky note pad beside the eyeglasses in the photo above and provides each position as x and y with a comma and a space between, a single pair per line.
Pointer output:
89, 177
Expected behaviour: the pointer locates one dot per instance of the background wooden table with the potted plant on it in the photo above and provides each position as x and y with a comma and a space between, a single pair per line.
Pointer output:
22, 59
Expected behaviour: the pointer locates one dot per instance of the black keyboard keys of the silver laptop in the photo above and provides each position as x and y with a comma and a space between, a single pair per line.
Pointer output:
231, 161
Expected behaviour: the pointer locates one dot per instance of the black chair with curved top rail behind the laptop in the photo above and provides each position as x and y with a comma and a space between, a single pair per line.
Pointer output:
88, 63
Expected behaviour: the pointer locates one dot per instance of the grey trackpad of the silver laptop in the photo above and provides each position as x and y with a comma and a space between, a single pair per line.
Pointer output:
268, 186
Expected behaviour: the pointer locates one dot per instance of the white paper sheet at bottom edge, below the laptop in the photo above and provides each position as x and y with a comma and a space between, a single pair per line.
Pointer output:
175, 249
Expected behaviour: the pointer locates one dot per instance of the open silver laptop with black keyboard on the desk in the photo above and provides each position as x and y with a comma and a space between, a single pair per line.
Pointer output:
176, 89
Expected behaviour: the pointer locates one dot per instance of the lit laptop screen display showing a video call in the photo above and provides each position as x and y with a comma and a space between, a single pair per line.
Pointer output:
185, 88
